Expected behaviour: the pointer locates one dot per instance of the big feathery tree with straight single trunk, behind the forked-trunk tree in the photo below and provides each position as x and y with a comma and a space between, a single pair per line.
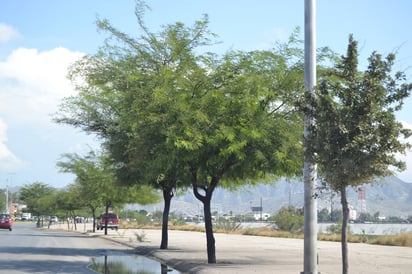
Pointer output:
129, 98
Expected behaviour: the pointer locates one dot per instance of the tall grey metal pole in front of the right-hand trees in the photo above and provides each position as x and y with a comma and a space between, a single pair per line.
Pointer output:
310, 259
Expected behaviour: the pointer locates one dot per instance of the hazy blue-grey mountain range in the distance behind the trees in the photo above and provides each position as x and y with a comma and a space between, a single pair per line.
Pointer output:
389, 196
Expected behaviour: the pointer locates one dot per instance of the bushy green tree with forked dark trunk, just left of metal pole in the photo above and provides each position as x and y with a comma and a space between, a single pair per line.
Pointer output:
239, 127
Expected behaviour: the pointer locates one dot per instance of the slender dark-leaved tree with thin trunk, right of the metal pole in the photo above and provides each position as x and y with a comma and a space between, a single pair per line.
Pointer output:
356, 136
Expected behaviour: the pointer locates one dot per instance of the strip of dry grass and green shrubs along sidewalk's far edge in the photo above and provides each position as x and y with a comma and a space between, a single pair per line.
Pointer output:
287, 216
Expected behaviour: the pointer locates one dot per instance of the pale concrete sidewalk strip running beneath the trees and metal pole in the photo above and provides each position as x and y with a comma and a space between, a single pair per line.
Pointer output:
252, 254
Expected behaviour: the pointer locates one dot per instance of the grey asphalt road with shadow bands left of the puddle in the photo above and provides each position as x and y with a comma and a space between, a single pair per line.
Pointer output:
30, 250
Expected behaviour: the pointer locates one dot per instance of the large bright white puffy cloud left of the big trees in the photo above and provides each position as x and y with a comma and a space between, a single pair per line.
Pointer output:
33, 83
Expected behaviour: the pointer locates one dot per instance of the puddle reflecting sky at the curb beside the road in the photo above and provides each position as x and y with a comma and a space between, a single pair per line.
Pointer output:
129, 264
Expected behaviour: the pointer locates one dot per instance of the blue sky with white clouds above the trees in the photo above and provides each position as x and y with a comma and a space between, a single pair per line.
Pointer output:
40, 39
